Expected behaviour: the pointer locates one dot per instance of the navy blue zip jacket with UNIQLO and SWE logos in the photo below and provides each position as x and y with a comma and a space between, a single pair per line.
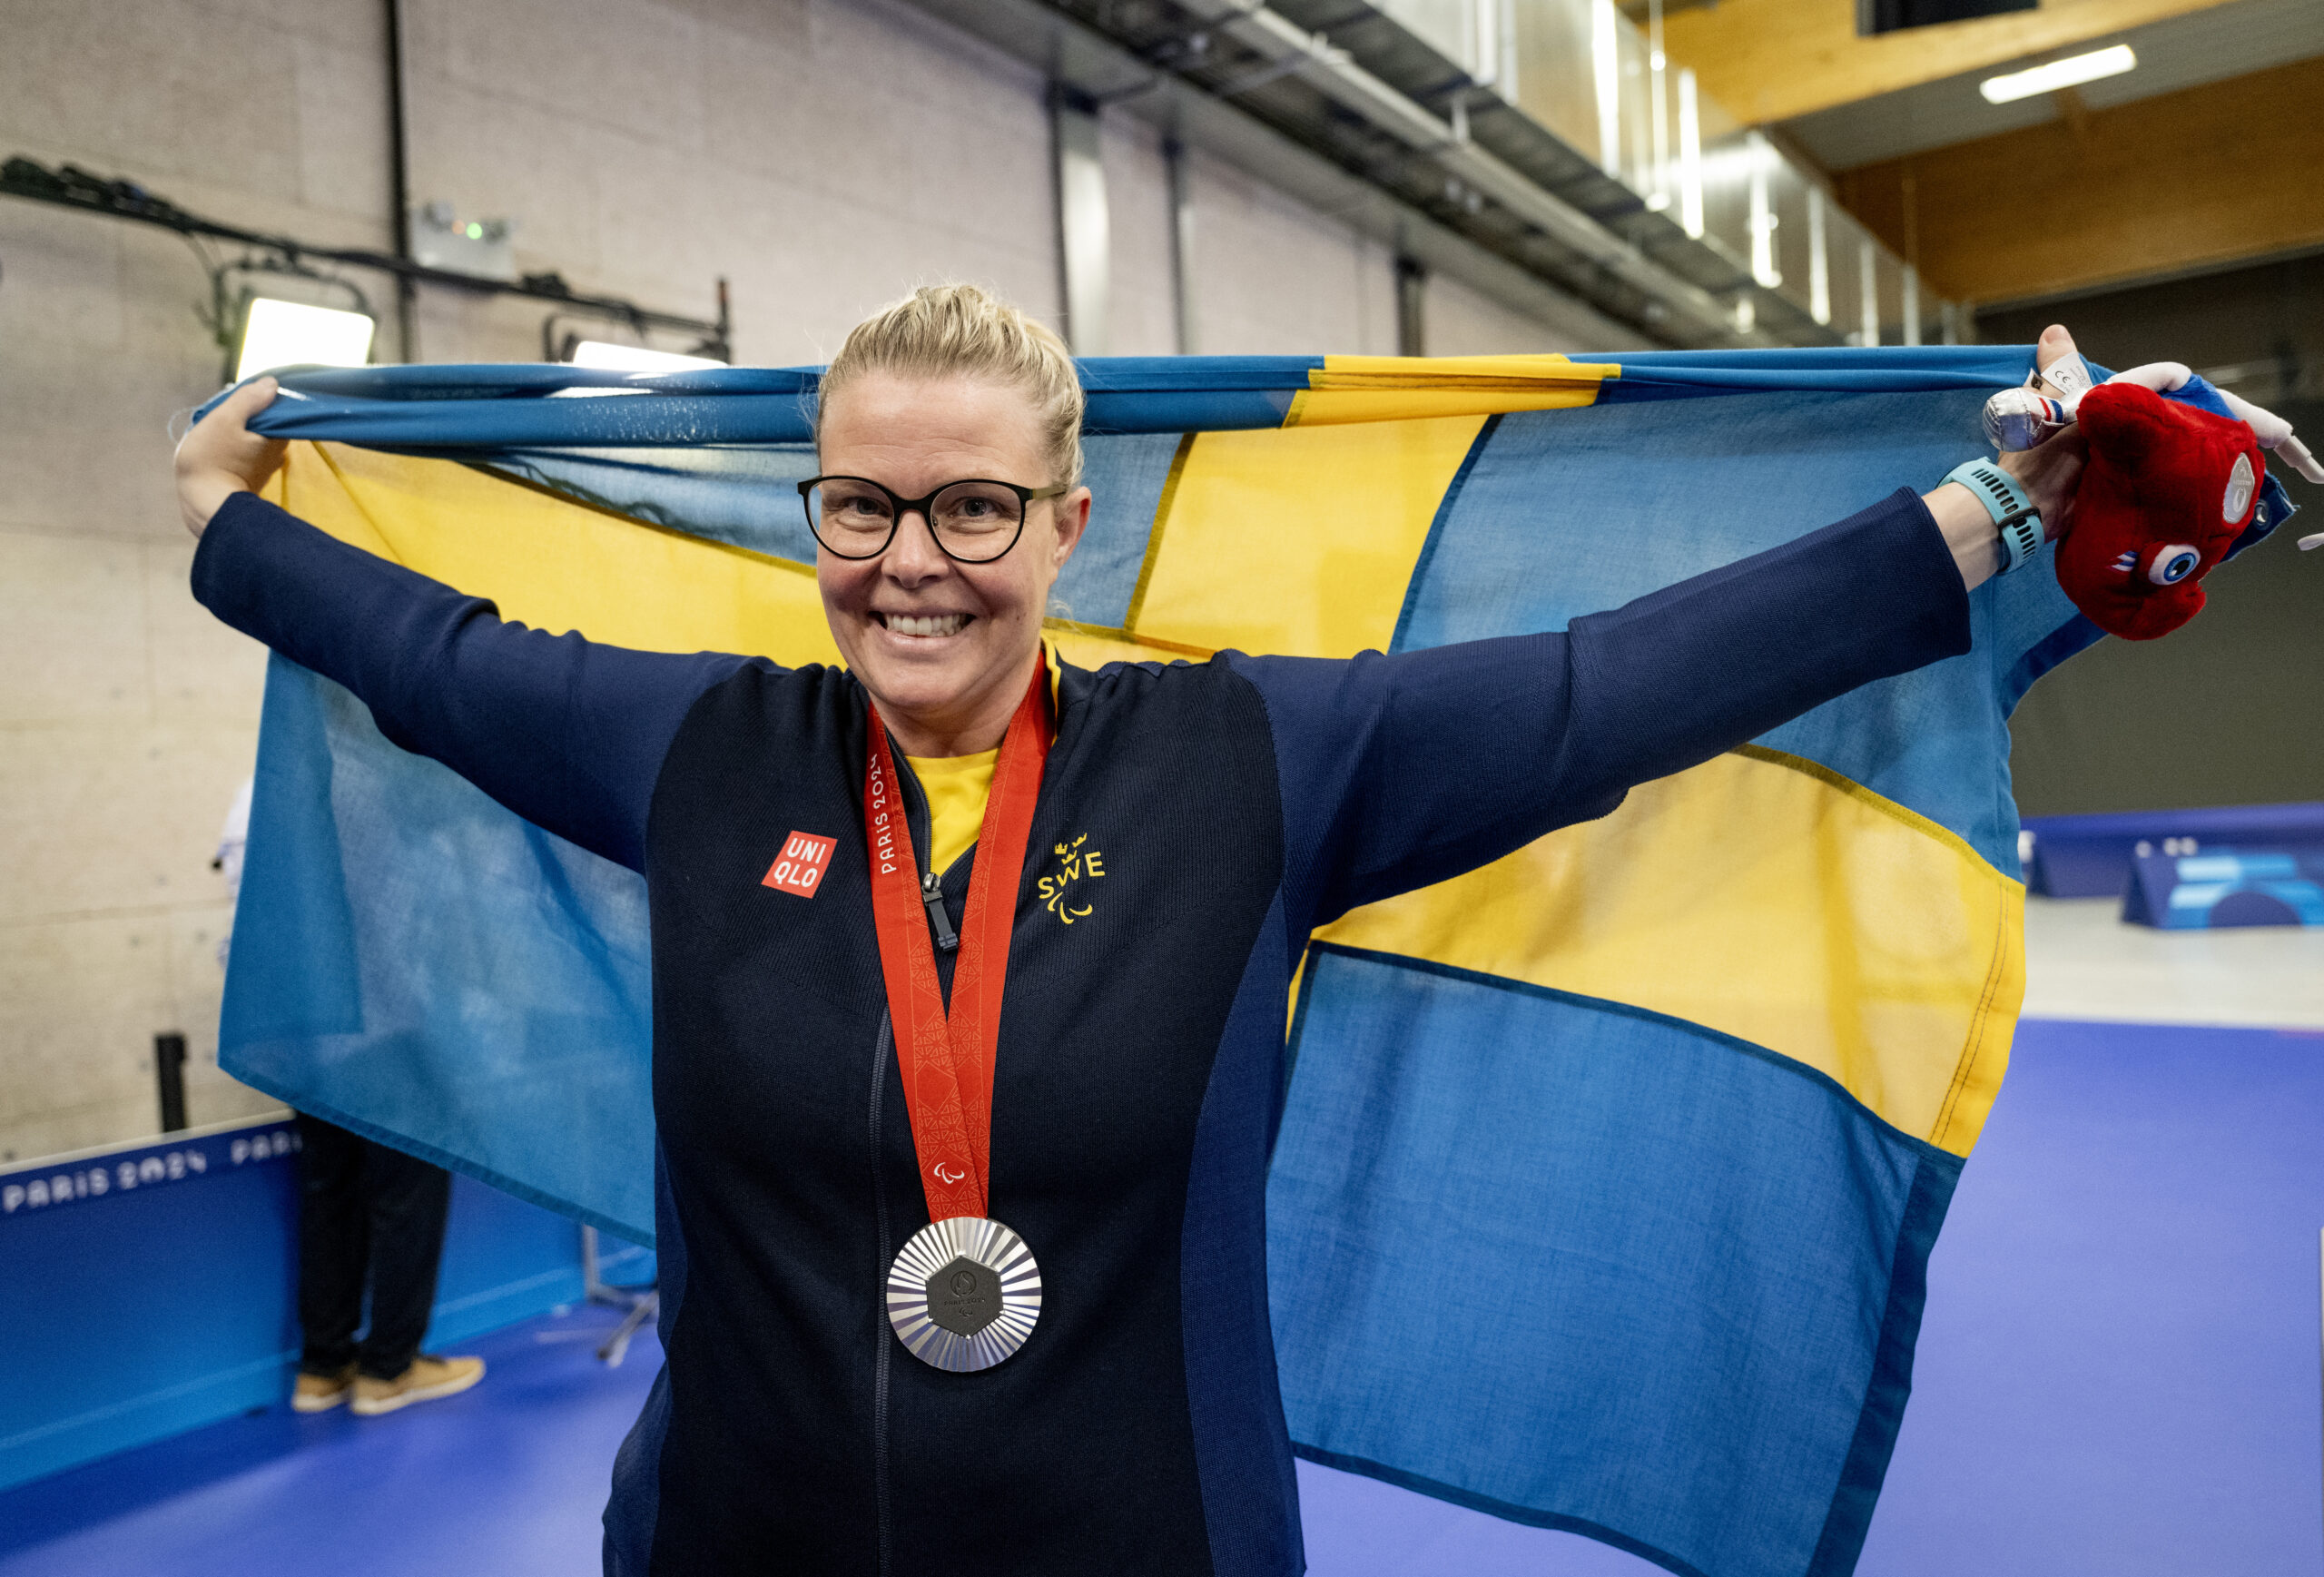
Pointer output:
1233, 807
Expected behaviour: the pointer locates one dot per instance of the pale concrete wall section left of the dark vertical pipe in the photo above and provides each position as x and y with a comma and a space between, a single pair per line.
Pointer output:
129, 717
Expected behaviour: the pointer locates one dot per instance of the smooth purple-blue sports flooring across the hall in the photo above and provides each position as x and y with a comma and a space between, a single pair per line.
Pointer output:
2118, 1374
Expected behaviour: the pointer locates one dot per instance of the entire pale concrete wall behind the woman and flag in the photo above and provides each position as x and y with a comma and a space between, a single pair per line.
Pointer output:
822, 154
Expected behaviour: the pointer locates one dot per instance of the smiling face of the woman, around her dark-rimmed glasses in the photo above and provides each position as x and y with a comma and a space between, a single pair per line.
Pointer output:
945, 649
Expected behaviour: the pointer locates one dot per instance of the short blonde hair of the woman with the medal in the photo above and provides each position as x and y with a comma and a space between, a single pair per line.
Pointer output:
961, 331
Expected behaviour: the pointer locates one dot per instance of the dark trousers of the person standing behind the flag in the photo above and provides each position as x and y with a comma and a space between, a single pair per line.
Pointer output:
378, 1214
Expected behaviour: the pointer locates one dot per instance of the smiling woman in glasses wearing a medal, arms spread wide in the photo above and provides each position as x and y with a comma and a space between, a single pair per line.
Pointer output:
849, 1388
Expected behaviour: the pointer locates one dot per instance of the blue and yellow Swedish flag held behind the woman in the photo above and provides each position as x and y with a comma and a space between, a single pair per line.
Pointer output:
1607, 1176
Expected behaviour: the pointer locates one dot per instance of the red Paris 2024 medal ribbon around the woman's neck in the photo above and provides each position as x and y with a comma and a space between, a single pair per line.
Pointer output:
947, 1058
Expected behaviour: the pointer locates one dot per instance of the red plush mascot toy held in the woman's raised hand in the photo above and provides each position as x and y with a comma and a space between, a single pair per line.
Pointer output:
2167, 494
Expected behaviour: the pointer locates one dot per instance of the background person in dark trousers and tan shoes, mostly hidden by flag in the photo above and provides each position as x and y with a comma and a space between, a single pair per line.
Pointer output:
368, 1216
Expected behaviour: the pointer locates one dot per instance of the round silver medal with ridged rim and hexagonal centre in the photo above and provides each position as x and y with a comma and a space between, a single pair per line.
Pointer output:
963, 1295
